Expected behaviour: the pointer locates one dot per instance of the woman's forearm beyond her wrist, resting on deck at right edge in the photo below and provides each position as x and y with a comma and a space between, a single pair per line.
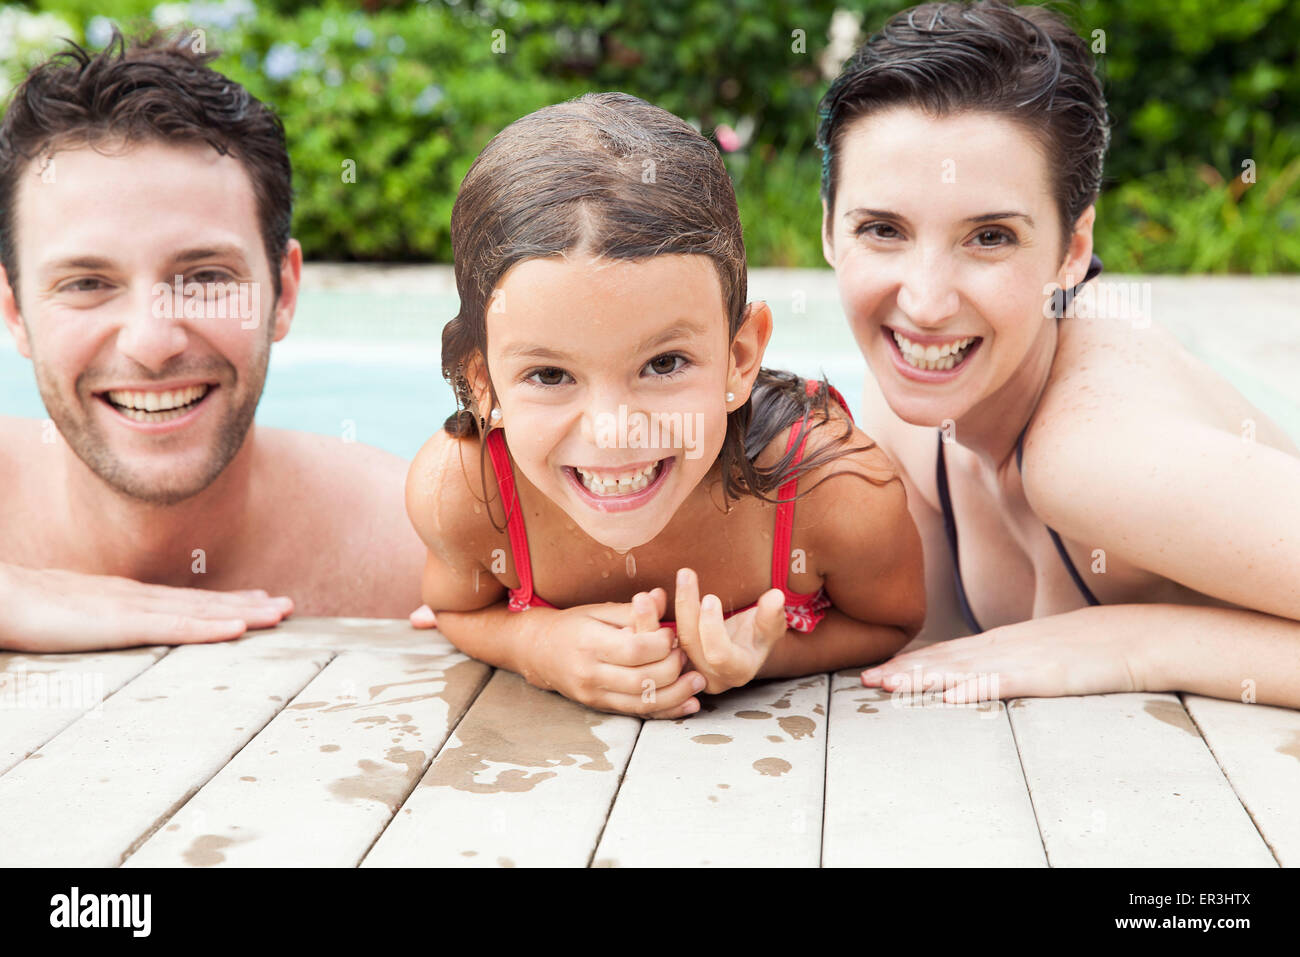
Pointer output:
1223, 653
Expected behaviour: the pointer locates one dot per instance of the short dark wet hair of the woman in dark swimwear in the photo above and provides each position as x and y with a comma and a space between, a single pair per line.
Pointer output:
1024, 63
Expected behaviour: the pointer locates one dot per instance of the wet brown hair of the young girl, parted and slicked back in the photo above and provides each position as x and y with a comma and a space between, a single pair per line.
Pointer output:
616, 177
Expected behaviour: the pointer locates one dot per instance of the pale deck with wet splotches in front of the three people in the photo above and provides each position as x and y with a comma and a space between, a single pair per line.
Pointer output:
365, 743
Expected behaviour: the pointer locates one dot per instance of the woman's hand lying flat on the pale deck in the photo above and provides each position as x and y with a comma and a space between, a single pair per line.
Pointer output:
1074, 653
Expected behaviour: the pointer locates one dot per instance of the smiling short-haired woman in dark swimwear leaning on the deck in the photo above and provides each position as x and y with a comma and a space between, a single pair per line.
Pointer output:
964, 149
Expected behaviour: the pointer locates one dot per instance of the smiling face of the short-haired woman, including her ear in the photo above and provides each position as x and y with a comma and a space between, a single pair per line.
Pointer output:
944, 240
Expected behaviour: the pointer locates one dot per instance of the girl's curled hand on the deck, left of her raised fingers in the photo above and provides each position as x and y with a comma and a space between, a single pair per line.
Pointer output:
616, 657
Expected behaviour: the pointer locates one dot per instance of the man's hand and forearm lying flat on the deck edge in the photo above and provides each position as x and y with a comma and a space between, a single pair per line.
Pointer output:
54, 610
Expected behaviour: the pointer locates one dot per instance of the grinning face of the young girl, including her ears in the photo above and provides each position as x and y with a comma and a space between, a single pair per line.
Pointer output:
612, 380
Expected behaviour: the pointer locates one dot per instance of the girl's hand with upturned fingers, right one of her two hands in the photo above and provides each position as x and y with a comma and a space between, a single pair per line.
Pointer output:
727, 652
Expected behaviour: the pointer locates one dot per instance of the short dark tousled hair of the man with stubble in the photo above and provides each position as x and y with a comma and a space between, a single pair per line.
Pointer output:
154, 89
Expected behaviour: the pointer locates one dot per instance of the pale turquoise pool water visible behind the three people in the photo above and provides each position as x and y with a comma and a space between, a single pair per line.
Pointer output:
363, 358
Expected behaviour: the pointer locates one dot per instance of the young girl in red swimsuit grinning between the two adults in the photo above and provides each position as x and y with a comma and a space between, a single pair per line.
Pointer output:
621, 448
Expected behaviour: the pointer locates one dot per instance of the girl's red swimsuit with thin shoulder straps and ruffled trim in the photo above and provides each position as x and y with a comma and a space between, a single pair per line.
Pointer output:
803, 612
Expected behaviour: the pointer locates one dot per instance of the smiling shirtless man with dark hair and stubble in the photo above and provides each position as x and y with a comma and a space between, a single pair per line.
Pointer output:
148, 270
